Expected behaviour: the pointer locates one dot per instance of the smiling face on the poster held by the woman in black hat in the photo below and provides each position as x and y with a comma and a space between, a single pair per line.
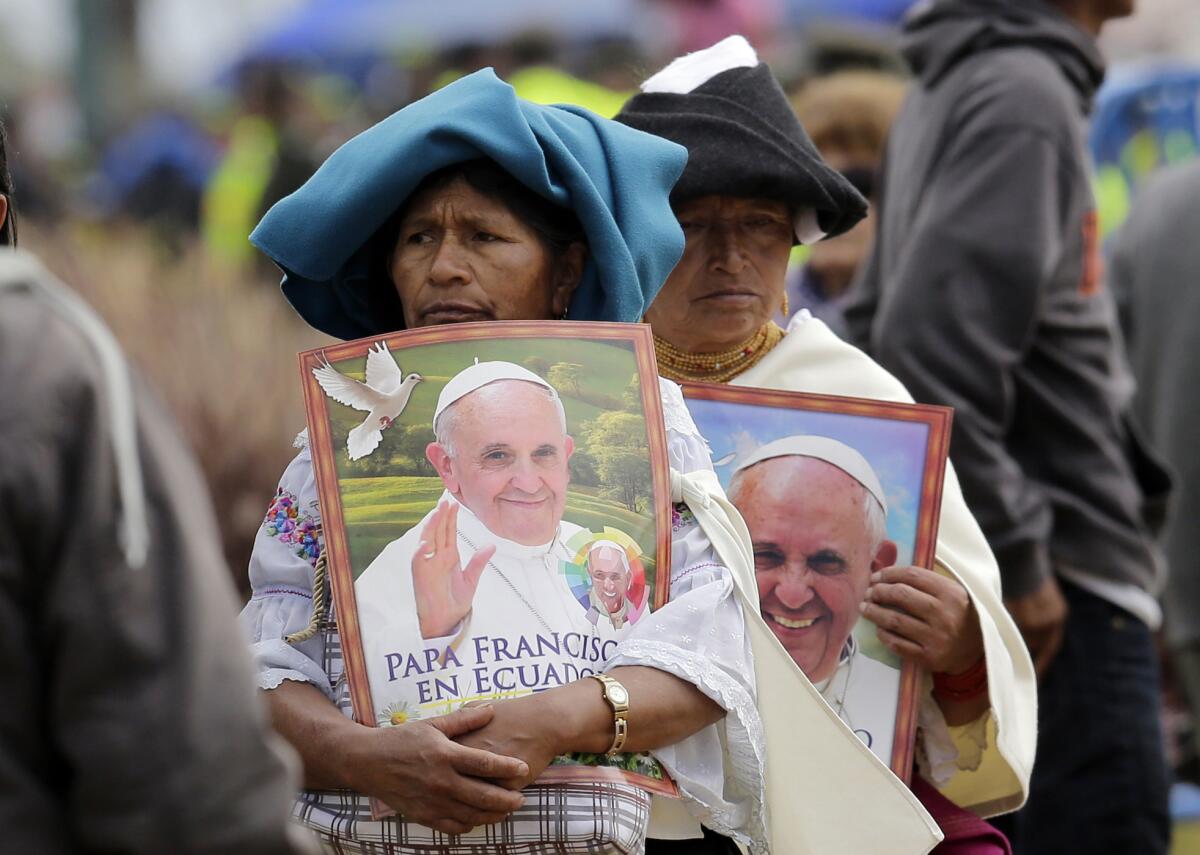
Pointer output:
814, 554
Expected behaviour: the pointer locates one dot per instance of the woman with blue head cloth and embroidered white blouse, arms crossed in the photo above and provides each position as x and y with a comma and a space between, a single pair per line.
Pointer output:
472, 205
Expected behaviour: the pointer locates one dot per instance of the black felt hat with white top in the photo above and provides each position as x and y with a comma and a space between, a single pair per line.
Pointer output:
743, 139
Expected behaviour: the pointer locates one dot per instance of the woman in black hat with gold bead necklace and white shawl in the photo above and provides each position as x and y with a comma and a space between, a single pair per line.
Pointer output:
753, 188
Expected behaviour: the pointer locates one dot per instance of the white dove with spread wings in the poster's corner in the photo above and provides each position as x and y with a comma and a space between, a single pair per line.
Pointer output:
385, 396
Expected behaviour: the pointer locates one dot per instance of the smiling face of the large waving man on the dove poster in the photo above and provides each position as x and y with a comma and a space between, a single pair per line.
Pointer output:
507, 461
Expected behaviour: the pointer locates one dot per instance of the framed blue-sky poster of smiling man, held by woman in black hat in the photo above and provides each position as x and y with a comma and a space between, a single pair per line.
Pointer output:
832, 491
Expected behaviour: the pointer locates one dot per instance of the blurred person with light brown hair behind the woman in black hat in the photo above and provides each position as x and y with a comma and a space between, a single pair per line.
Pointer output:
848, 116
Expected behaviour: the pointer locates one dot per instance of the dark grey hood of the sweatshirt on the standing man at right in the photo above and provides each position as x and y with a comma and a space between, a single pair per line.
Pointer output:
939, 34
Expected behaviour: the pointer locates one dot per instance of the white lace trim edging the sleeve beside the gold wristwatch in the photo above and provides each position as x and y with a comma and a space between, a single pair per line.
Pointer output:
745, 740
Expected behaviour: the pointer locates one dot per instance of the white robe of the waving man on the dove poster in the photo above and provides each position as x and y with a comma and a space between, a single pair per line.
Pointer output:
526, 630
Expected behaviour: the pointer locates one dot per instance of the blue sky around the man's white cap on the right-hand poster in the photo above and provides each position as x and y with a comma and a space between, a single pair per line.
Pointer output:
895, 450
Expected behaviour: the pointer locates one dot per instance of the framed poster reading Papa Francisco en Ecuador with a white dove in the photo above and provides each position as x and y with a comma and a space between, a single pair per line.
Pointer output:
496, 513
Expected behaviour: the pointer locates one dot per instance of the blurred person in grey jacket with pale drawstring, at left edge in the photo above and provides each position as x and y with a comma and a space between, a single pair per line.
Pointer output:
130, 721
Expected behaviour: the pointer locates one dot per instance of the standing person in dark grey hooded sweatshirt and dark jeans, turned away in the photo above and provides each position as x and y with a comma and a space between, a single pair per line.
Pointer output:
983, 294
